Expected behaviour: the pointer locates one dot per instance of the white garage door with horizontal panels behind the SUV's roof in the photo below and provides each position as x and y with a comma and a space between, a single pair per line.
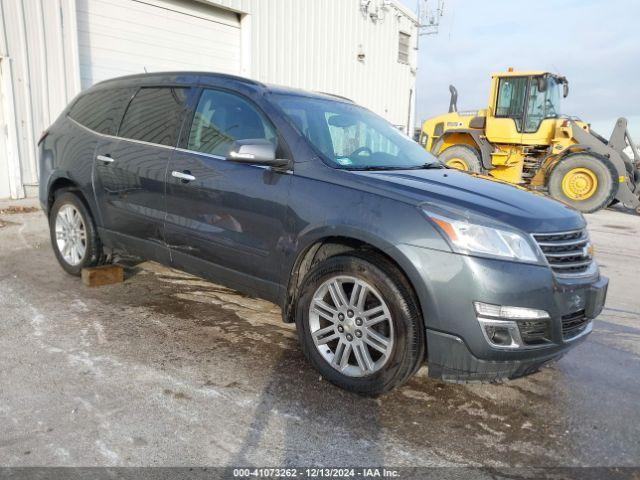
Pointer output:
121, 37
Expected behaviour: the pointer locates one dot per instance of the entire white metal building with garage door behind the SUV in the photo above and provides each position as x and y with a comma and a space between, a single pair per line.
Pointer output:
51, 49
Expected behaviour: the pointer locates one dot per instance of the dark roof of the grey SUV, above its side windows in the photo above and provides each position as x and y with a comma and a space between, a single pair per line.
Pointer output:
187, 77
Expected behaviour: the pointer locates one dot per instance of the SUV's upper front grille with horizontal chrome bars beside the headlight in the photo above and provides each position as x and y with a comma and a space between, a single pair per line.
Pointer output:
568, 253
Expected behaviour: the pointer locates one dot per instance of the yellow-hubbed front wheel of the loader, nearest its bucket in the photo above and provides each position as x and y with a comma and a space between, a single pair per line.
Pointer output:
584, 182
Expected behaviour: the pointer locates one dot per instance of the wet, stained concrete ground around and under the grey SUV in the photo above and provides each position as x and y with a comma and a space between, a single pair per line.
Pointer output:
167, 369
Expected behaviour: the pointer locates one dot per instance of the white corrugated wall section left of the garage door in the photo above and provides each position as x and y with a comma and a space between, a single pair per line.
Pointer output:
39, 77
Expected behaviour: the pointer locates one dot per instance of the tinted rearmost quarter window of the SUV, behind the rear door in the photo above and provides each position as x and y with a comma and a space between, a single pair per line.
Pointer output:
102, 110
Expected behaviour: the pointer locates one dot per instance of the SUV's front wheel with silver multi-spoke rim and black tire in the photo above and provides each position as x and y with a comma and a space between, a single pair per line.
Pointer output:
359, 323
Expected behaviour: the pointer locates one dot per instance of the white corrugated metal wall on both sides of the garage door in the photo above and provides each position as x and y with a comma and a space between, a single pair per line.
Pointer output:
309, 44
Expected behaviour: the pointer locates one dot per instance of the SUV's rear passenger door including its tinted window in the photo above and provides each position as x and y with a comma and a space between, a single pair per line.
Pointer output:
130, 169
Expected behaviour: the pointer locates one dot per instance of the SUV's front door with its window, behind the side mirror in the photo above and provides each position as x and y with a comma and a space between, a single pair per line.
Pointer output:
226, 218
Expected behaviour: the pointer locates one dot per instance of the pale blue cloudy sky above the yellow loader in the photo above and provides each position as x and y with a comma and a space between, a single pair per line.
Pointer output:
594, 43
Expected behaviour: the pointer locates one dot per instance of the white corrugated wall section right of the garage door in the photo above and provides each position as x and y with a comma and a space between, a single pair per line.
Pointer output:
315, 44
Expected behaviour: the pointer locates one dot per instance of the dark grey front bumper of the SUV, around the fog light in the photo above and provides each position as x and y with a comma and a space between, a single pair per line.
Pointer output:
457, 348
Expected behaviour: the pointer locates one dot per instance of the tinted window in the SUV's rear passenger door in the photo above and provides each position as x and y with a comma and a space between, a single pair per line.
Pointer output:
154, 115
